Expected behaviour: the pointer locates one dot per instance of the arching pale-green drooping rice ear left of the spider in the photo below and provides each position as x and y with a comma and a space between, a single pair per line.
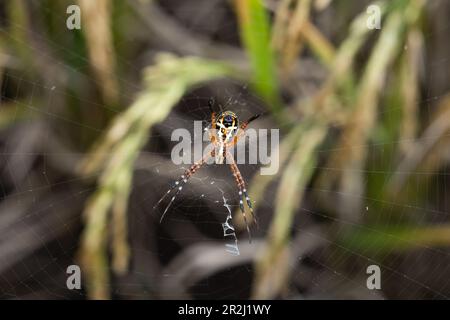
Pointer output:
165, 84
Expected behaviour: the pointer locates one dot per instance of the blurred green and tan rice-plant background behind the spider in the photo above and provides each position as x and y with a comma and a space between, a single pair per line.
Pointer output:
86, 116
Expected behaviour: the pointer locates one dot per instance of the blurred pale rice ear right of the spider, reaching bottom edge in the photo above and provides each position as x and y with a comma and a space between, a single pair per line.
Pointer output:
272, 266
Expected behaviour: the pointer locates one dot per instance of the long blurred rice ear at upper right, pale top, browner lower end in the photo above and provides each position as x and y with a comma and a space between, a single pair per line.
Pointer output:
350, 154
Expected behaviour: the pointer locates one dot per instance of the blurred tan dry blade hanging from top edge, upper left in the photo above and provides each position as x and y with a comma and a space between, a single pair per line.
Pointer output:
97, 29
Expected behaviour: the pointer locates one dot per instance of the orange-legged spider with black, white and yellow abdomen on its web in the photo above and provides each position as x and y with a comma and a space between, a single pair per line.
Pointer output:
224, 133
